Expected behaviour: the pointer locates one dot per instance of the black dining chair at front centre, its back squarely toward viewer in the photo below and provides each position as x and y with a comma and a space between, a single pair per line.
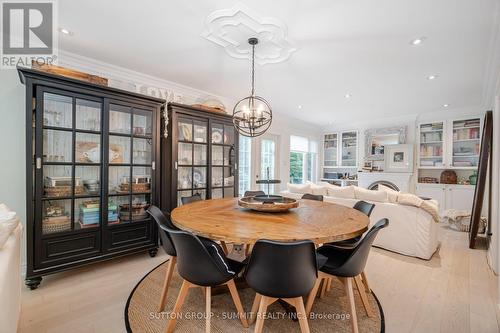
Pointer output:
284, 271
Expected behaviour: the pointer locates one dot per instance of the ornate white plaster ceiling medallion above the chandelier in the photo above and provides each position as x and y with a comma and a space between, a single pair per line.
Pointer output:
230, 29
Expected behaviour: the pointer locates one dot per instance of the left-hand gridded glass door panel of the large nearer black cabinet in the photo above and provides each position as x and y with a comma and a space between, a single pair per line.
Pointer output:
70, 163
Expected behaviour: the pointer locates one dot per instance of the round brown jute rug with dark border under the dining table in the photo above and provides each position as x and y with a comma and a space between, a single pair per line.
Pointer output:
329, 314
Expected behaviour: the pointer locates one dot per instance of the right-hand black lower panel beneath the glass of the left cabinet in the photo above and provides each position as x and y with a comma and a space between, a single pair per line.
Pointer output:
126, 236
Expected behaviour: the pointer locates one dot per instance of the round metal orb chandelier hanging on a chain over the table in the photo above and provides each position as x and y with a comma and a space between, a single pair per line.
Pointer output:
252, 115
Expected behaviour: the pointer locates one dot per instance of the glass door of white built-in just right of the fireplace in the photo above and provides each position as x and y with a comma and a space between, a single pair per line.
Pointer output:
431, 144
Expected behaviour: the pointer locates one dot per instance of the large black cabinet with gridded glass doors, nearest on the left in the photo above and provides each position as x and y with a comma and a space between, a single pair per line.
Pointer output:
90, 174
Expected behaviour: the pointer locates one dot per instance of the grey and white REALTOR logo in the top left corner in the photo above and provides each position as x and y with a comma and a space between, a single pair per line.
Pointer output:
28, 33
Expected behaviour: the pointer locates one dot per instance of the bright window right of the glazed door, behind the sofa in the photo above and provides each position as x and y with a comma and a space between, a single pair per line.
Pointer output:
303, 159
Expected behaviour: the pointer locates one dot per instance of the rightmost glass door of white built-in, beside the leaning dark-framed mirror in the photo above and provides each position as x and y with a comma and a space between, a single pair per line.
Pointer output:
466, 142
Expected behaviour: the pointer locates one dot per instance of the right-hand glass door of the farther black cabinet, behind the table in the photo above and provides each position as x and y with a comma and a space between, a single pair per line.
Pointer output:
223, 160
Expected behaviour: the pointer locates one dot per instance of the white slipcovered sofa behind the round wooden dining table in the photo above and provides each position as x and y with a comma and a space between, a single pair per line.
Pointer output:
411, 231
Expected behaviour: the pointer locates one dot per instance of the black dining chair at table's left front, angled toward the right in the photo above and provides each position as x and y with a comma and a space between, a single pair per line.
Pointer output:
202, 263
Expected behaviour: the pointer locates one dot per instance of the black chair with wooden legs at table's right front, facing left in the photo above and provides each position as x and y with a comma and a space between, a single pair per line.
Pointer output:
347, 265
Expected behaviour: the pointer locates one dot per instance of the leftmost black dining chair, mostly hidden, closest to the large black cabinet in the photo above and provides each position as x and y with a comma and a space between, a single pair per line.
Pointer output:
163, 223
